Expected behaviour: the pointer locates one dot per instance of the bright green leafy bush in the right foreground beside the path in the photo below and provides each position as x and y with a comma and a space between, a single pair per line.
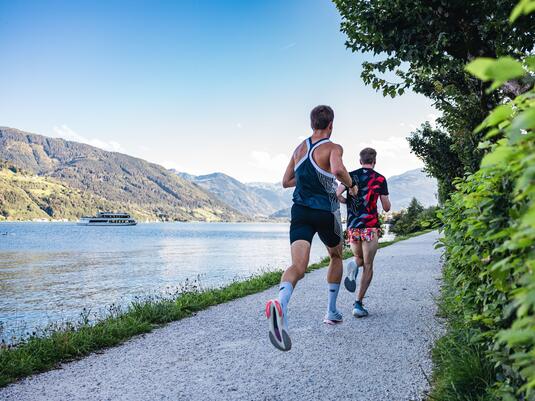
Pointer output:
489, 227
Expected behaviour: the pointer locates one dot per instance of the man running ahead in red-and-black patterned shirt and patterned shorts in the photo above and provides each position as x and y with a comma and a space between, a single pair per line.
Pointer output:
363, 226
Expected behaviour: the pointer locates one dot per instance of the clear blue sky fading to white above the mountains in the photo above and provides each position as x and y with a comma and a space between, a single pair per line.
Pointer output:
200, 86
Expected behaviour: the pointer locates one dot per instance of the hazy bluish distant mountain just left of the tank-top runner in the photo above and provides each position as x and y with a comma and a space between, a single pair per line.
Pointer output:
257, 200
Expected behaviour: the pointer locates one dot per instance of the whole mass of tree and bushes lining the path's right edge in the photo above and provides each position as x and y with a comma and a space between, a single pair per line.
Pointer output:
475, 61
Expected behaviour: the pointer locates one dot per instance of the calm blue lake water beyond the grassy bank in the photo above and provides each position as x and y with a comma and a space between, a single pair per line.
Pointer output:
51, 271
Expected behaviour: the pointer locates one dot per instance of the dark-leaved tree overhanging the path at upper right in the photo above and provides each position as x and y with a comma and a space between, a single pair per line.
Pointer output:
426, 44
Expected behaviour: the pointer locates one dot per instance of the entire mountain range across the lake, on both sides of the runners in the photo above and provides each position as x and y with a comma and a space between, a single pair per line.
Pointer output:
79, 175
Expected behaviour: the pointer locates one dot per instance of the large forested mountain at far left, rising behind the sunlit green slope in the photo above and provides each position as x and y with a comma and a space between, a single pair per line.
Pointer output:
131, 183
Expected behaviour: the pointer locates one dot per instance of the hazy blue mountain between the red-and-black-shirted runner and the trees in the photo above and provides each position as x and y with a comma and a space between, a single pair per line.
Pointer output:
412, 184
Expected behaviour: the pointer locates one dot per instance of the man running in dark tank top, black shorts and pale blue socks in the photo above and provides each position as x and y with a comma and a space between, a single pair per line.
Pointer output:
313, 169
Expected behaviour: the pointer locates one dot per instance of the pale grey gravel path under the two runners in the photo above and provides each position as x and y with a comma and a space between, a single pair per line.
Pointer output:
224, 353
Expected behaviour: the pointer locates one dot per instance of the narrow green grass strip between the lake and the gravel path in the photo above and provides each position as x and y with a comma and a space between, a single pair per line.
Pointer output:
41, 353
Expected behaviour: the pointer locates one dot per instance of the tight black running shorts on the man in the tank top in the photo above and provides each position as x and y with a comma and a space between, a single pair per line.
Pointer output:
306, 222
